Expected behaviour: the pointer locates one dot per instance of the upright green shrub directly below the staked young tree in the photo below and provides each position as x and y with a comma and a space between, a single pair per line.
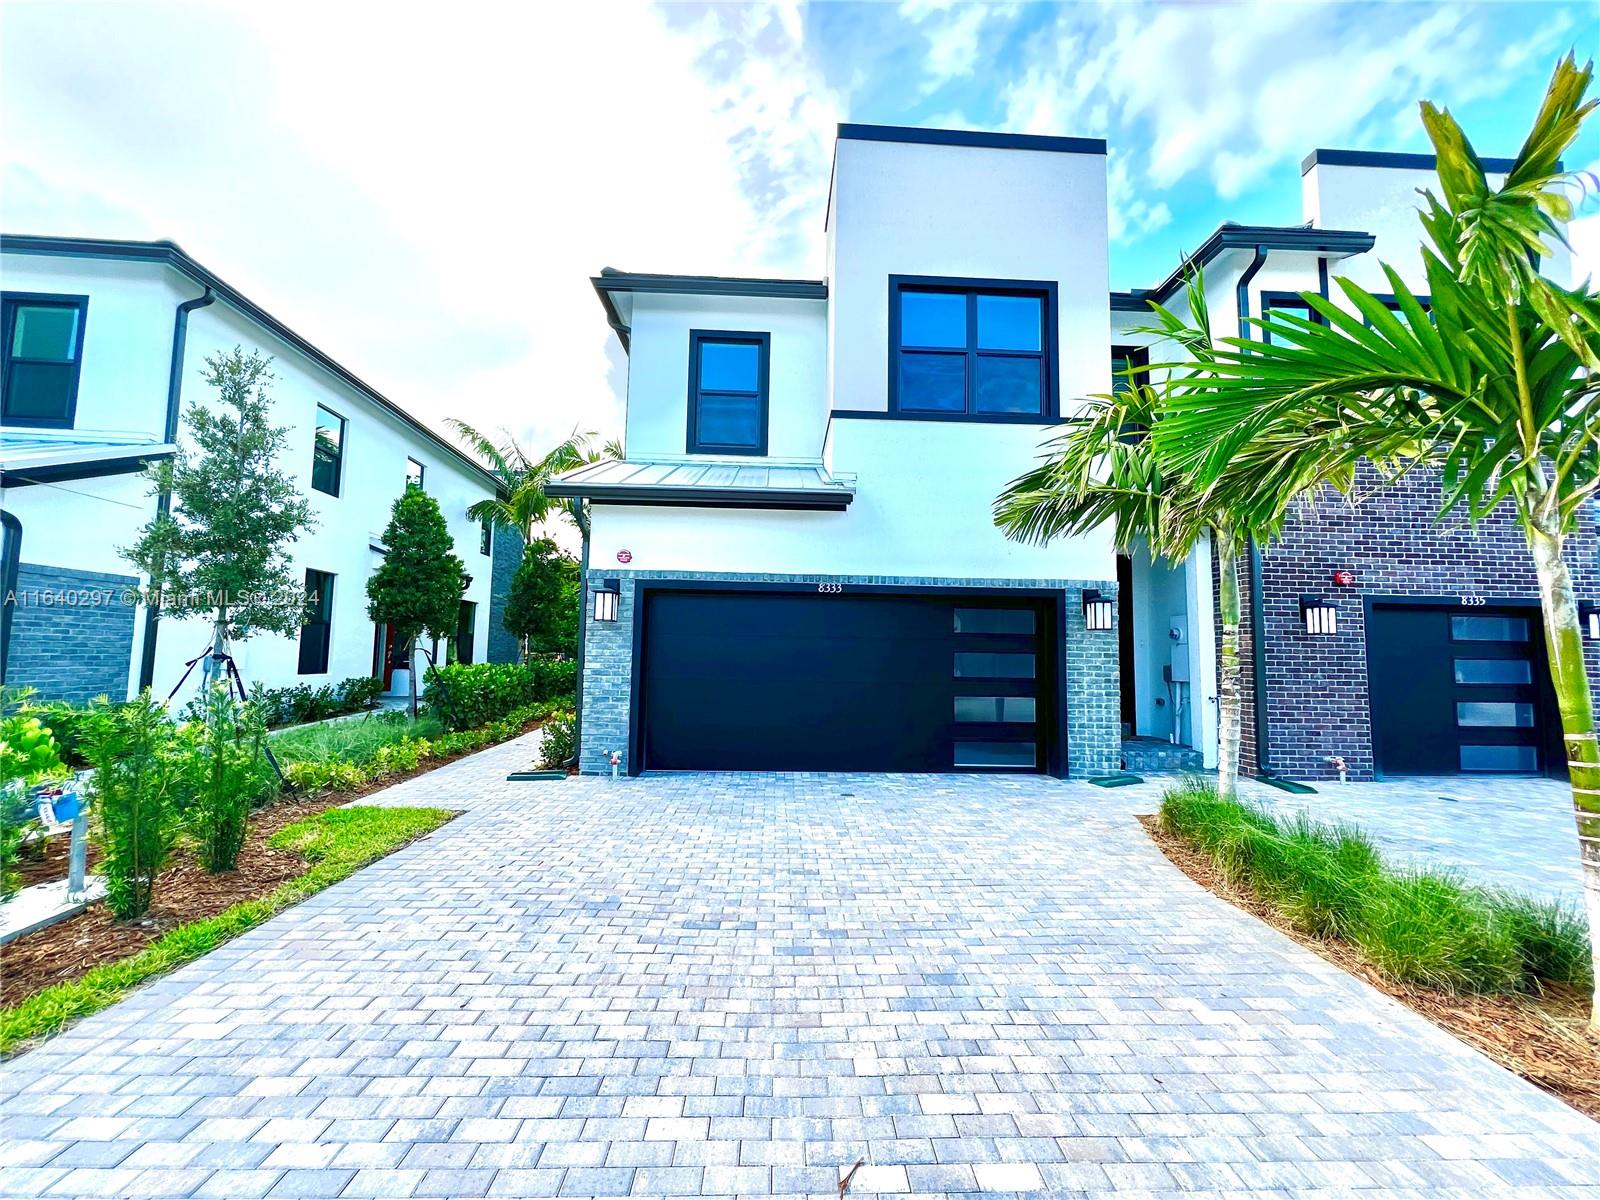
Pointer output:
226, 775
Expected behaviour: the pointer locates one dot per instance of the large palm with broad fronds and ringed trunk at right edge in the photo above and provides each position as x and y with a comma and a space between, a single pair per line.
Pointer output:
1498, 388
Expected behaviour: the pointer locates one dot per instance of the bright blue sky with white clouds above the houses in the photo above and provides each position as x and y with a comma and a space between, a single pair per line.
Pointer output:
426, 193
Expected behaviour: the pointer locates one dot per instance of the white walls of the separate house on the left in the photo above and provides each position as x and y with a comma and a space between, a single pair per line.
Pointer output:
127, 358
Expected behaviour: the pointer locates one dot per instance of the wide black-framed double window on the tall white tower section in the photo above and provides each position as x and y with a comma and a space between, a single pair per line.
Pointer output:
978, 350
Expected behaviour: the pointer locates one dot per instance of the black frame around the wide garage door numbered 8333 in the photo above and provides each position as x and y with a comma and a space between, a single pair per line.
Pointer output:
1055, 604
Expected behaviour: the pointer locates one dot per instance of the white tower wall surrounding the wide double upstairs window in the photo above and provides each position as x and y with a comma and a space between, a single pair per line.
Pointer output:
975, 214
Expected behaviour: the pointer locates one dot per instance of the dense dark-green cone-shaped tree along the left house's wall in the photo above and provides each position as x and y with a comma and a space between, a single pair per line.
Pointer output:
418, 586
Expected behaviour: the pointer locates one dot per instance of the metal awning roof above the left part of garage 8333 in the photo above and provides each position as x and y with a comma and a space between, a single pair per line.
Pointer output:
706, 486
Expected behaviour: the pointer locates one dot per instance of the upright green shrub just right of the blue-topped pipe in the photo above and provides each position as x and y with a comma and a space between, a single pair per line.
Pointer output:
134, 794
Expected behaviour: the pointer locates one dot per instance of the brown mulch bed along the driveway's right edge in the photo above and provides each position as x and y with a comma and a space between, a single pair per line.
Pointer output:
1542, 1038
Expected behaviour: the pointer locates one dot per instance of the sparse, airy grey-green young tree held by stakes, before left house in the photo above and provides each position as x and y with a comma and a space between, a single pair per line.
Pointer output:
226, 543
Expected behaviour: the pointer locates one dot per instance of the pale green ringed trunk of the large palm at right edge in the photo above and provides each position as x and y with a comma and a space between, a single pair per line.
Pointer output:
1566, 646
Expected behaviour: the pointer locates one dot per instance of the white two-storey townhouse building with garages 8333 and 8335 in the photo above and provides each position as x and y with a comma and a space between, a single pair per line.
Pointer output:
796, 564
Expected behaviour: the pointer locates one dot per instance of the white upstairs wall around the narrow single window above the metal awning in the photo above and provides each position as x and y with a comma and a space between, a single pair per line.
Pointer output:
658, 394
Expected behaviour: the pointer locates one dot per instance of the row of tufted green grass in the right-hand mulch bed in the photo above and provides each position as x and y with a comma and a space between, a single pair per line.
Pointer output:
1417, 927
